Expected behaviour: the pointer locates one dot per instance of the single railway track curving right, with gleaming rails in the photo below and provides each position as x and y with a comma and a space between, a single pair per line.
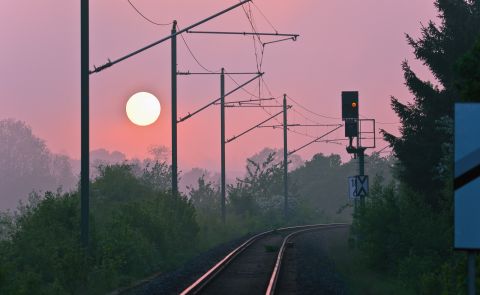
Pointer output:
253, 267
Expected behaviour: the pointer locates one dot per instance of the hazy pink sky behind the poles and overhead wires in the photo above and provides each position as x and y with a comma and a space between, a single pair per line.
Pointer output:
344, 45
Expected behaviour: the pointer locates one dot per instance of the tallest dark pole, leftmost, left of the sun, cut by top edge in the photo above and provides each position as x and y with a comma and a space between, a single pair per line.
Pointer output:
84, 122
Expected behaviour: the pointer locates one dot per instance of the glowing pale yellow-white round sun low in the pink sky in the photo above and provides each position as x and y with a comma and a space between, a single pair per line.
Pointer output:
143, 108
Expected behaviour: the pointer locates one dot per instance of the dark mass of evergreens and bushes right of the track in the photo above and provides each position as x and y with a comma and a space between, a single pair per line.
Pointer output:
406, 228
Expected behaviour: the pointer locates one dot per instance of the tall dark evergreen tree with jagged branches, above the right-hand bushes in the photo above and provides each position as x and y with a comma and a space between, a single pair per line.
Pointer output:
419, 148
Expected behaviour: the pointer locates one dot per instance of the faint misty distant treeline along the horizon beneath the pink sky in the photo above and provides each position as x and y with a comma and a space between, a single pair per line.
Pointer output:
28, 166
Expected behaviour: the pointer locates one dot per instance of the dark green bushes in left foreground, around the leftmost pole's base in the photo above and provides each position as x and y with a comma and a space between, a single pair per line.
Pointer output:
136, 230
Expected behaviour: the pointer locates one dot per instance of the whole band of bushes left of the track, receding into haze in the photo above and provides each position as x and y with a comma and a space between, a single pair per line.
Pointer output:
139, 228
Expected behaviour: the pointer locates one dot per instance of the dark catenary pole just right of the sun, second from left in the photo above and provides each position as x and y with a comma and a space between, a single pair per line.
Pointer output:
174, 110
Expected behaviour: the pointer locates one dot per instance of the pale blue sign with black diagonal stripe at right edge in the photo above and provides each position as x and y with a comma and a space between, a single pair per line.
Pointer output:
467, 176
